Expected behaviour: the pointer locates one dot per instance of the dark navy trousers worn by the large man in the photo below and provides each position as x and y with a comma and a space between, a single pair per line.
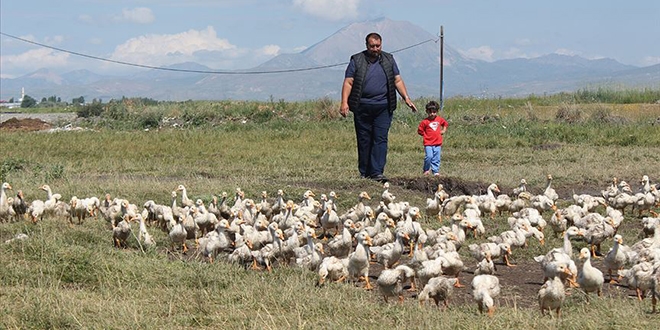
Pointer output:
372, 126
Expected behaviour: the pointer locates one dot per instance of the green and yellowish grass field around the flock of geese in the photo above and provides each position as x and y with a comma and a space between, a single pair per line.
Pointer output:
72, 277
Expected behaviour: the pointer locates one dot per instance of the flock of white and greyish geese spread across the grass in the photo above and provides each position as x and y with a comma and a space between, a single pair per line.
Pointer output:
342, 246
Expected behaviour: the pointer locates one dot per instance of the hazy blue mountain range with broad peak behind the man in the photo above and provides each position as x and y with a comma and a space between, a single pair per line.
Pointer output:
318, 71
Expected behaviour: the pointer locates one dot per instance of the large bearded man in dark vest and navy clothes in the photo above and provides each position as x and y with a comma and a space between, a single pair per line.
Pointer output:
371, 82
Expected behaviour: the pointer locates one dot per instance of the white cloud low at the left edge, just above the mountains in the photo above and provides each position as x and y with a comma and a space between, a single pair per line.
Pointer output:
33, 59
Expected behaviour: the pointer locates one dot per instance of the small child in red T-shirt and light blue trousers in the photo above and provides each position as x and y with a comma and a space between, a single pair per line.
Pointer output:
432, 128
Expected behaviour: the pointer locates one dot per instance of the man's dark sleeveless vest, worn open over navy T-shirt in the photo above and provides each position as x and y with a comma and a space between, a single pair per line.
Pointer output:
361, 66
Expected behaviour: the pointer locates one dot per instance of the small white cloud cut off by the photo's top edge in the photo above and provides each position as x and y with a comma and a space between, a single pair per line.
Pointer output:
333, 10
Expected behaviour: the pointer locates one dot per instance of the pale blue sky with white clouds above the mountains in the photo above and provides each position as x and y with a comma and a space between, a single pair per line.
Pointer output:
241, 34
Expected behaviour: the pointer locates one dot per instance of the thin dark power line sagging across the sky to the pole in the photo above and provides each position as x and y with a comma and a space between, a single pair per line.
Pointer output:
196, 71
